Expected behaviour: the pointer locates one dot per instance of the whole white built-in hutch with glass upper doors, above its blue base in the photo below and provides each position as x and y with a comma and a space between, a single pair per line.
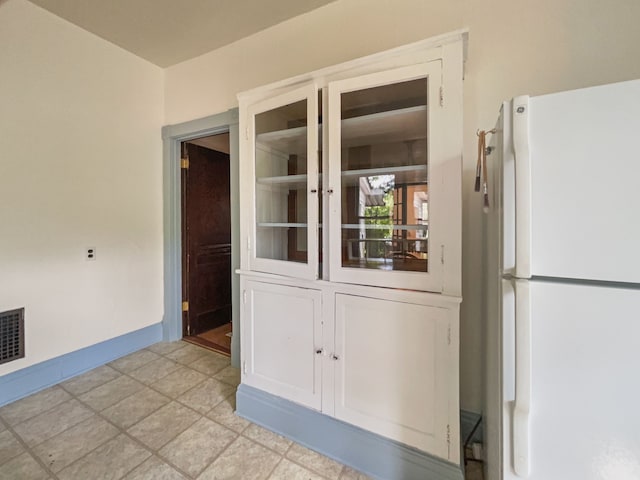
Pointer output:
351, 237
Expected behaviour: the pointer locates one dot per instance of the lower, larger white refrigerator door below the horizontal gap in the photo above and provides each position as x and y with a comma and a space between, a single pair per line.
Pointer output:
570, 389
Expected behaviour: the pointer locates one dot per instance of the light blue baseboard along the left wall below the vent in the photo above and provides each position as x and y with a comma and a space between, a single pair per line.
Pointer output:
28, 380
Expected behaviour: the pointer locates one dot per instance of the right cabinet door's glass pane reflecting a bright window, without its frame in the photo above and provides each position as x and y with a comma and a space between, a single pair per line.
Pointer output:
385, 193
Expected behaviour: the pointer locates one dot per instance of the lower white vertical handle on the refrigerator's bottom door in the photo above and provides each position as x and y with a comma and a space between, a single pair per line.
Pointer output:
522, 404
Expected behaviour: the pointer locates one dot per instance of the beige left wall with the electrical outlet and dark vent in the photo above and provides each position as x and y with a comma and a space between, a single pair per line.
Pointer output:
80, 166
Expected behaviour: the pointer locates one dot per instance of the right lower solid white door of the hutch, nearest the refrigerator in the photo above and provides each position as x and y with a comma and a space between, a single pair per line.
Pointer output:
394, 369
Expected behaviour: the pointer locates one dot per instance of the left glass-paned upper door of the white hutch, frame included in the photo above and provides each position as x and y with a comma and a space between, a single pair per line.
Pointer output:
283, 135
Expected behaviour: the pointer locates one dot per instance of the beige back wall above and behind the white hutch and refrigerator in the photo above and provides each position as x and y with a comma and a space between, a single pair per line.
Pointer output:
515, 47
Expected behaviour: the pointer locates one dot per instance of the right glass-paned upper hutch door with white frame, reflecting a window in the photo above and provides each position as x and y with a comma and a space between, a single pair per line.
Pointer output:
382, 147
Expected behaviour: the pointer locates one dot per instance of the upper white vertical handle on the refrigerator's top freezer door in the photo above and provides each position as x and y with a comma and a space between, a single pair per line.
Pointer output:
520, 118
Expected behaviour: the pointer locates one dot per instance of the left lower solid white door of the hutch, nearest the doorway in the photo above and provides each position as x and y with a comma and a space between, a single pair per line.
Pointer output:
281, 331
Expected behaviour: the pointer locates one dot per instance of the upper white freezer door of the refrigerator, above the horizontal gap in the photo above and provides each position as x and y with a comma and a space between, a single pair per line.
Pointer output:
577, 196
